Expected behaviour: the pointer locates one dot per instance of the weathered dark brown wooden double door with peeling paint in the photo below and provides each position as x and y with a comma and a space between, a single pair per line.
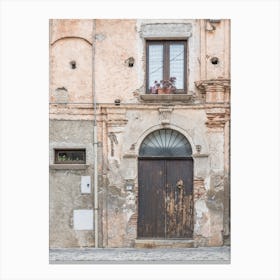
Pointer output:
165, 198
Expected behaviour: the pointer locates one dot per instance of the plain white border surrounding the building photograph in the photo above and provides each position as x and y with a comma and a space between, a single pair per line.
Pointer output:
255, 124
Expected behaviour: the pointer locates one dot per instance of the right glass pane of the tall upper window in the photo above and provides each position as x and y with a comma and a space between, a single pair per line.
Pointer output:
177, 64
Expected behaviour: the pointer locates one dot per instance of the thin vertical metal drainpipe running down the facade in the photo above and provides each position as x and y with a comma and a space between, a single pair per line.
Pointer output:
95, 143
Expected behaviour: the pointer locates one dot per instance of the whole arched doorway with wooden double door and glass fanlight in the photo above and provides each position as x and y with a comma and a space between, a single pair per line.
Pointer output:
165, 186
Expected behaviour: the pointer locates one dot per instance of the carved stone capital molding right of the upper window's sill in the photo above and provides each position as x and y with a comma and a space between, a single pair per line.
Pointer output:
215, 89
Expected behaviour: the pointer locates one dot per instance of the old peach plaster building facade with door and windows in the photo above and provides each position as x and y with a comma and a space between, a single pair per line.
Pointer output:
130, 167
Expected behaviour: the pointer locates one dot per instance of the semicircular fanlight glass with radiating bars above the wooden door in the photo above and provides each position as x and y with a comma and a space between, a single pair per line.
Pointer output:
165, 143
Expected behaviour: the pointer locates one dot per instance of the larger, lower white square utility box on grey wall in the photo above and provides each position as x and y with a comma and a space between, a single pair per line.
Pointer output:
83, 219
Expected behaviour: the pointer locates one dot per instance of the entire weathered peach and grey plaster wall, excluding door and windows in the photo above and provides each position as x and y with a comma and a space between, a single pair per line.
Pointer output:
204, 120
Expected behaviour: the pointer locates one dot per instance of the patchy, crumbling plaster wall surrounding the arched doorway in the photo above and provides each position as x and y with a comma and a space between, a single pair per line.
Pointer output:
121, 212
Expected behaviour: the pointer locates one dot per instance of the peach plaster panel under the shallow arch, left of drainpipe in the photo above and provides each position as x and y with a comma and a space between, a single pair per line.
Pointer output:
77, 82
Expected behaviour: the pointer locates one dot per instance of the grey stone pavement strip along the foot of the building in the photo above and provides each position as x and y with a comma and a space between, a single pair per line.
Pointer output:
141, 256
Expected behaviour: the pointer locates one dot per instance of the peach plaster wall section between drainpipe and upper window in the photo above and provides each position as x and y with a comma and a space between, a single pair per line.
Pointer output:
115, 43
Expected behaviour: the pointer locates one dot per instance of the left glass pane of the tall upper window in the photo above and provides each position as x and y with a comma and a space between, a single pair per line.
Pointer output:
155, 64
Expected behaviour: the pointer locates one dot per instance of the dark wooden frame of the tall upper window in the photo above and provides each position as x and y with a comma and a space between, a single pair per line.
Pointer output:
166, 65
